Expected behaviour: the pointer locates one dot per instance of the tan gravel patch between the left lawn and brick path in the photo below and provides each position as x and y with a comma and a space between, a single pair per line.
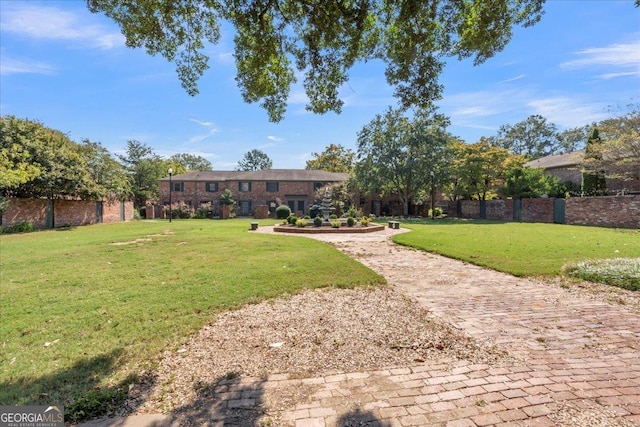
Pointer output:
322, 331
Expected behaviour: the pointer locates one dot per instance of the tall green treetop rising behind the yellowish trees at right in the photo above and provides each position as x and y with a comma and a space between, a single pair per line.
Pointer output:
533, 138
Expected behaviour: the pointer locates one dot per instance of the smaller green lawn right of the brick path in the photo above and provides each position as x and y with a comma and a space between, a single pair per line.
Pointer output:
522, 249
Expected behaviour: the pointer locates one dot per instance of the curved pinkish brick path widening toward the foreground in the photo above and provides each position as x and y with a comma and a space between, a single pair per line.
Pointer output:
578, 358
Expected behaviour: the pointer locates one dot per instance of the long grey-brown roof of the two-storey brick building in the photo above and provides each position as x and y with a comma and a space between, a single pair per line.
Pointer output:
263, 175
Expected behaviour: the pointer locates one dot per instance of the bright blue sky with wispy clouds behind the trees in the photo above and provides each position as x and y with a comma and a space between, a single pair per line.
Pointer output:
70, 69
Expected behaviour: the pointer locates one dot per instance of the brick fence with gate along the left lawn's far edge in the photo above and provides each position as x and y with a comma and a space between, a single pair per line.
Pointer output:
48, 213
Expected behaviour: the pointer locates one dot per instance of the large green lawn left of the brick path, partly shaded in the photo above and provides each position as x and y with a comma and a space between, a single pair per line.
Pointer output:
91, 307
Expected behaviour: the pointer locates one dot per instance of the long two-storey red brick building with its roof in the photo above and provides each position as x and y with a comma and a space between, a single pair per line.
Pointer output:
270, 187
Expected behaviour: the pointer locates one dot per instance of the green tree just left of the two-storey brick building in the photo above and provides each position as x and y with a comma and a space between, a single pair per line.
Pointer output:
144, 168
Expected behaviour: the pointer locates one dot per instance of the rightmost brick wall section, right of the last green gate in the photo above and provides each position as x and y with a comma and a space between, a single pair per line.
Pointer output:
609, 211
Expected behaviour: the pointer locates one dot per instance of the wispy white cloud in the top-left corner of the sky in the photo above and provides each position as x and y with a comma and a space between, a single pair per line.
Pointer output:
50, 23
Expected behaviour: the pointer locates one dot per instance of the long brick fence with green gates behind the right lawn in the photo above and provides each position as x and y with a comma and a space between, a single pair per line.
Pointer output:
607, 211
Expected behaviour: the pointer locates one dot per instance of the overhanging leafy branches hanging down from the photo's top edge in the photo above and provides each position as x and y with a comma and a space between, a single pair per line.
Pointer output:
322, 40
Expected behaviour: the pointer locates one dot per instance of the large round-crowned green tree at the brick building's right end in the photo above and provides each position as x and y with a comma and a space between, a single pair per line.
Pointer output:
396, 155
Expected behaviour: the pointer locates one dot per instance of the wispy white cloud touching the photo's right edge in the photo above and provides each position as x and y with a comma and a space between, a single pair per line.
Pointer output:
623, 56
